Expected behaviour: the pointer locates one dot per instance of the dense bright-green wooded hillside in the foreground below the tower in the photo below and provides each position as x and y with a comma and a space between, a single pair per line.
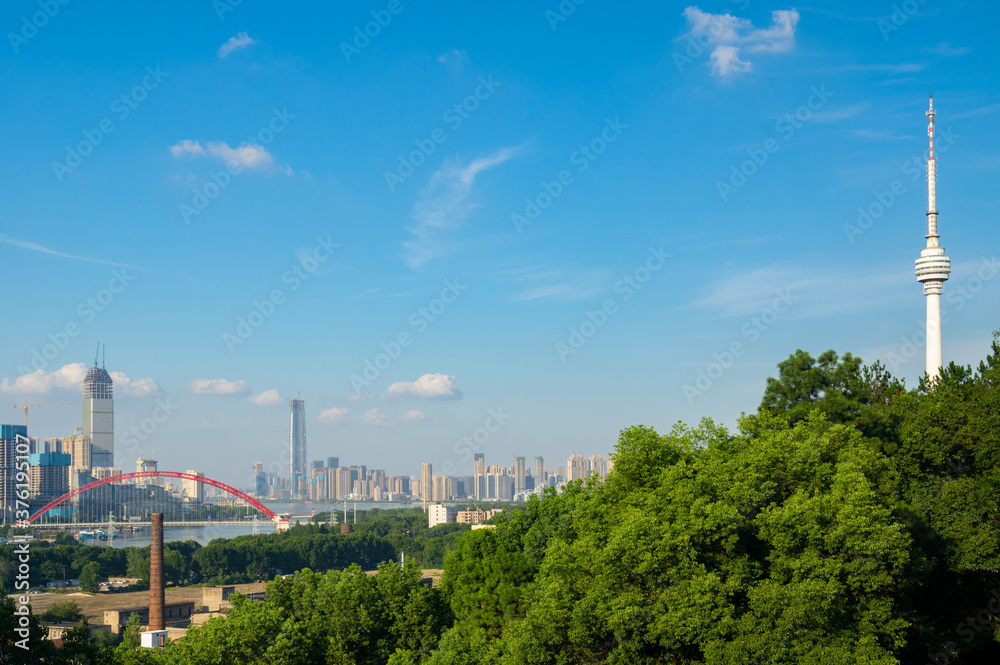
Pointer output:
850, 519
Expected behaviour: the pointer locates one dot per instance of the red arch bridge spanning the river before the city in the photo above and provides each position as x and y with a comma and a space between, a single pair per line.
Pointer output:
122, 501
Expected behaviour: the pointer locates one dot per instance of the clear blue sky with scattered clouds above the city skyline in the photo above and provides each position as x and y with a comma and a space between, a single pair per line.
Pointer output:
544, 206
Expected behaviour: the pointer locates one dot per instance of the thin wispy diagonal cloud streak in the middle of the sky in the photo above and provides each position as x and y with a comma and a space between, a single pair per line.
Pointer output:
445, 204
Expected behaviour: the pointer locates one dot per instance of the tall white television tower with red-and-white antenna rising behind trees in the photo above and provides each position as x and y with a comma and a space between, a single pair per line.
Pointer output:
933, 267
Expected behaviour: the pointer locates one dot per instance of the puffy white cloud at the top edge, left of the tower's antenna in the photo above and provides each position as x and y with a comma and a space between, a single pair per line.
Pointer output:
731, 37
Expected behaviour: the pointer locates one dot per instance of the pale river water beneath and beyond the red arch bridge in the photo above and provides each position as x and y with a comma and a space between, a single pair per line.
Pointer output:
204, 534
